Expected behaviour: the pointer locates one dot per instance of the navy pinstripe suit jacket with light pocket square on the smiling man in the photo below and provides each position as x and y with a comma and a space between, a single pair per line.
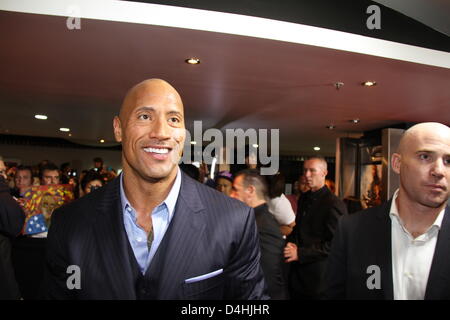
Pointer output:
208, 232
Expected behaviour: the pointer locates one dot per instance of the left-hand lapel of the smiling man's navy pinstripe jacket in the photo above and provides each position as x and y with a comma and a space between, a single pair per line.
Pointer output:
112, 242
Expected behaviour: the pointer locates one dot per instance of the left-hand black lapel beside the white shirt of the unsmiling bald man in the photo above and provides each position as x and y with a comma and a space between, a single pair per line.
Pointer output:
384, 250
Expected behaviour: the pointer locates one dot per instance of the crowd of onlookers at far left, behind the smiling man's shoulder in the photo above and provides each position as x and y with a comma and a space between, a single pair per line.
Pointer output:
18, 185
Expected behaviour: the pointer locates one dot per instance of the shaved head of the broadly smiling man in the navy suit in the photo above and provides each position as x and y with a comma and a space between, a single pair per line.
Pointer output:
151, 128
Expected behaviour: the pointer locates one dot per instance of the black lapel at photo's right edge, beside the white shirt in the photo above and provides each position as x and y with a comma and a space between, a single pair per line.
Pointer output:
439, 272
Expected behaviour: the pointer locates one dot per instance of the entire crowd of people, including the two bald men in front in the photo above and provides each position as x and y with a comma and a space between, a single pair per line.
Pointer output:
161, 231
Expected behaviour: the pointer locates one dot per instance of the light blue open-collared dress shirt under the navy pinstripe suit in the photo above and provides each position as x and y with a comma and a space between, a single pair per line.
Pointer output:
161, 217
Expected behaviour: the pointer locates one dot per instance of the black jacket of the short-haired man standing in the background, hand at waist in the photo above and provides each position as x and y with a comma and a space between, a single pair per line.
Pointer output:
316, 222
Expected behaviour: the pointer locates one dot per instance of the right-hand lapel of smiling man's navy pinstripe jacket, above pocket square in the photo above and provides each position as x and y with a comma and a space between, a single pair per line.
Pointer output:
173, 257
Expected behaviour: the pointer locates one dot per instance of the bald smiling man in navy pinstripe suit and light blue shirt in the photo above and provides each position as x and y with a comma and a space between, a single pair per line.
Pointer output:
153, 232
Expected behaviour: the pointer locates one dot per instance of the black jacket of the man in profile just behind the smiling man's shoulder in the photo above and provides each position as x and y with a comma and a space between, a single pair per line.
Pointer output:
272, 245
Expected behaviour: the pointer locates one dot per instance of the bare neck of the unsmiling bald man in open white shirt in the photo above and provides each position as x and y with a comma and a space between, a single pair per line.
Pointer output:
416, 217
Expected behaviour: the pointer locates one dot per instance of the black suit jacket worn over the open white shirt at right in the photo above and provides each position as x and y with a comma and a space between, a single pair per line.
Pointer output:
364, 239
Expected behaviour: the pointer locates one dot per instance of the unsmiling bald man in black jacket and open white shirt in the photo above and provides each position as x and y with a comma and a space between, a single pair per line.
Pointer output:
400, 250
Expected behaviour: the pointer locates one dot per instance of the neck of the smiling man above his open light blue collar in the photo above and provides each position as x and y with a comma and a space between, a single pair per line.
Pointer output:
145, 195
